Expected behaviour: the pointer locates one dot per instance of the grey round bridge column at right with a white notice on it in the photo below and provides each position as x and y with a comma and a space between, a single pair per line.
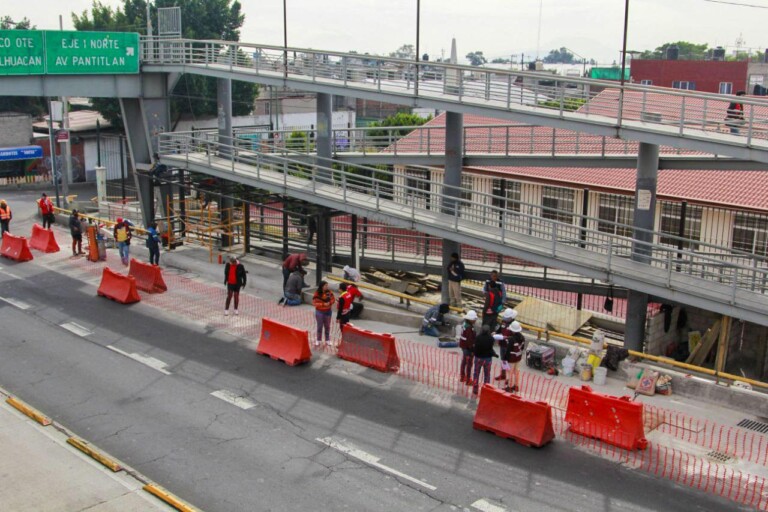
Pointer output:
644, 219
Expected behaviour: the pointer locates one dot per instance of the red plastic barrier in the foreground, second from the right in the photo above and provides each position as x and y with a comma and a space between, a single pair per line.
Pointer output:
511, 417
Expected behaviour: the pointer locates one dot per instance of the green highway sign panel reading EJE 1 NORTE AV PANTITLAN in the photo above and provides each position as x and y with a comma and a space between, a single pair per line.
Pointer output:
88, 53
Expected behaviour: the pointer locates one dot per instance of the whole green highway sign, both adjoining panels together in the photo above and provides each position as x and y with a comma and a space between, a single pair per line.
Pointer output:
54, 52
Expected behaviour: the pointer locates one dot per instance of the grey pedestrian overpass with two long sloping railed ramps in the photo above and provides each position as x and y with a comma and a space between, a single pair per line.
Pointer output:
713, 278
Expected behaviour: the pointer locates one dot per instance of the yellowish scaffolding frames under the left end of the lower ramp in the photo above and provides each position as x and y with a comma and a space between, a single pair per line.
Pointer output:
196, 222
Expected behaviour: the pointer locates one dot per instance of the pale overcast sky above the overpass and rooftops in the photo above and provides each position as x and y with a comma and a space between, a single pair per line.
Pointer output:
498, 28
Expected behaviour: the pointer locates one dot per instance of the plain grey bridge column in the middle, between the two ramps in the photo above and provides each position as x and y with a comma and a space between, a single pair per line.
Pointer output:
454, 160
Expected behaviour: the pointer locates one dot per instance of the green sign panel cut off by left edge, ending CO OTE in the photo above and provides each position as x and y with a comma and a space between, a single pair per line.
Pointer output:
21, 52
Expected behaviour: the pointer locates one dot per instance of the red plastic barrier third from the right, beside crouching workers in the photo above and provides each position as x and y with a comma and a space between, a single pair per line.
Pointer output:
377, 351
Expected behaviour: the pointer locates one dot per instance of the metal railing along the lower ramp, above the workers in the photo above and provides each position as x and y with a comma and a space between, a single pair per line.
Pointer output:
468, 211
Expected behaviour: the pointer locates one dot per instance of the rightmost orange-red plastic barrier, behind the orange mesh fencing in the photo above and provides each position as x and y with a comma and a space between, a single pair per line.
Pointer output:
615, 420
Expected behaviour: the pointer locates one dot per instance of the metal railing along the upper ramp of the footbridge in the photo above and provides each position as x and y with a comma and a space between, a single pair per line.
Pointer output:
668, 111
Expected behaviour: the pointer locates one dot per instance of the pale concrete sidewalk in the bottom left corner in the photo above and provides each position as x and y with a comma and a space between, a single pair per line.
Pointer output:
42, 473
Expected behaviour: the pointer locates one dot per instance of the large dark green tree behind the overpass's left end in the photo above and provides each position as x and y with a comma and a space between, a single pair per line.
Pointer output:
202, 19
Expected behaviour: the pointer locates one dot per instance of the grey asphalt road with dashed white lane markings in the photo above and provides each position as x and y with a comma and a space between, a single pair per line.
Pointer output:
325, 436
